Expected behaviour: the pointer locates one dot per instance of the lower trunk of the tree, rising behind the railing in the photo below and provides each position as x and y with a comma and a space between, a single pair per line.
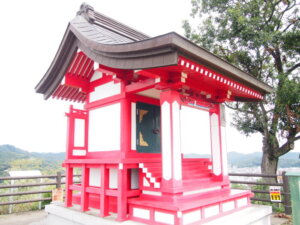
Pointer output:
268, 162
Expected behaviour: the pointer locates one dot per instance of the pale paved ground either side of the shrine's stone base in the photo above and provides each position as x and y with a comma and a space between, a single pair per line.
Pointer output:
38, 218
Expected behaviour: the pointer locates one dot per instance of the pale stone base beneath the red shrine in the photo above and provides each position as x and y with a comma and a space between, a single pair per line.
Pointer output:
60, 215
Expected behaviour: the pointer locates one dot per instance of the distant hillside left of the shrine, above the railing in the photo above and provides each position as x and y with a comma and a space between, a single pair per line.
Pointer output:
9, 153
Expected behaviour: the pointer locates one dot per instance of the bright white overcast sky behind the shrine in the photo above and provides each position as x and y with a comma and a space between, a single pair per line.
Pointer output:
31, 32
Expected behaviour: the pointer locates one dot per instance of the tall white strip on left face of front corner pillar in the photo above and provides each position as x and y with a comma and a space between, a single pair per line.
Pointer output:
166, 141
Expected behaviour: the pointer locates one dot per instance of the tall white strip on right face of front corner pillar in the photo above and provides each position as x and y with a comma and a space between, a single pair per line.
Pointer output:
177, 167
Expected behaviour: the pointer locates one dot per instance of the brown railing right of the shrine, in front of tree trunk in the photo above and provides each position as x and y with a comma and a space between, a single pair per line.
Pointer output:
285, 186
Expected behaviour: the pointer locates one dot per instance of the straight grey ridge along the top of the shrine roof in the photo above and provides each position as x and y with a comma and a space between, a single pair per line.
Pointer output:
101, 20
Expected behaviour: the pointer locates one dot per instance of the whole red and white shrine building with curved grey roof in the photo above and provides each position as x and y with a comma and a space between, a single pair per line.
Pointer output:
152, 107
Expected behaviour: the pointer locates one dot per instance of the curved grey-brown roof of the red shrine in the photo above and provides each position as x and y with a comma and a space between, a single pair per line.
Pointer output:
113, 44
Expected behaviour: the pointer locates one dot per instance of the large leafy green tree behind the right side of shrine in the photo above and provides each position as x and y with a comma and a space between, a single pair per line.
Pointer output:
262, 37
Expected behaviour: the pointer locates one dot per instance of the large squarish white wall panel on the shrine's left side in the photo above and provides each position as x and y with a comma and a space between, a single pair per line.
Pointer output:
104, 128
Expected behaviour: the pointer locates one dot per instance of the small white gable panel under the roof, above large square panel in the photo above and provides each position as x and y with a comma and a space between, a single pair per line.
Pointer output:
105, 90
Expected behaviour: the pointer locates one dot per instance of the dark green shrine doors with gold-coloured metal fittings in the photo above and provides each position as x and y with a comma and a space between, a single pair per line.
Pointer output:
148, 128
